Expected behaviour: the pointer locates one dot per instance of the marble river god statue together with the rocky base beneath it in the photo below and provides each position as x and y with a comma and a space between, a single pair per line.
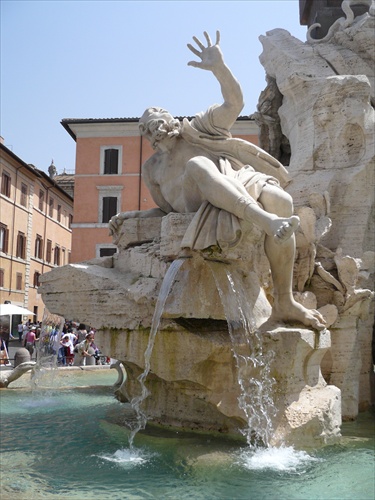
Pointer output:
223, 359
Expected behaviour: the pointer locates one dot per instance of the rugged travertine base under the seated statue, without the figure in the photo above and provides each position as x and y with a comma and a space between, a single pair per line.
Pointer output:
196, 376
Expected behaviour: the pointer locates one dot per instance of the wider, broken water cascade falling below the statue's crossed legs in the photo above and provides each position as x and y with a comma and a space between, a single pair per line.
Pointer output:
252, 361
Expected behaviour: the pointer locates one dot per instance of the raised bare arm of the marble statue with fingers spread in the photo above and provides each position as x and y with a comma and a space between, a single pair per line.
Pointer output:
212, 60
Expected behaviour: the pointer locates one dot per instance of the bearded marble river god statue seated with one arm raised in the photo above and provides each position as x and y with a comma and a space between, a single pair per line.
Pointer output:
199, 168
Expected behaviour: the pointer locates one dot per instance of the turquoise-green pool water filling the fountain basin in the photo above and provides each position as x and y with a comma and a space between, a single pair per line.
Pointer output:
68, 444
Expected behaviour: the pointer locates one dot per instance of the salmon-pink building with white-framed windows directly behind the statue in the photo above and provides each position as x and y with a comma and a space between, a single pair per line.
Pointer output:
109, 156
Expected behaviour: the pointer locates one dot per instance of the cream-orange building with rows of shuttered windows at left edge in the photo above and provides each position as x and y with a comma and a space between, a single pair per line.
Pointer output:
35, 230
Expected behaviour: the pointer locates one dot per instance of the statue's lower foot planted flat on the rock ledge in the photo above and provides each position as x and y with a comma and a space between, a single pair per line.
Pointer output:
295, 312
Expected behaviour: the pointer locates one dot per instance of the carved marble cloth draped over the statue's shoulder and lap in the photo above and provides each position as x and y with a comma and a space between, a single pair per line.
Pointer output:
250, 165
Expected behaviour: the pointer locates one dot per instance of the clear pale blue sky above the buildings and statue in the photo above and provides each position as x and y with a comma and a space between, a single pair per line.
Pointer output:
112, 59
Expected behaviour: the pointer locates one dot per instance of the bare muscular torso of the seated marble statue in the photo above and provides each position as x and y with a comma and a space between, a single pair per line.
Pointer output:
166, 177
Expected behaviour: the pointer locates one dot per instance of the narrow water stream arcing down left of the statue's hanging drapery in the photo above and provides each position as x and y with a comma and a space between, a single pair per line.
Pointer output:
136, 402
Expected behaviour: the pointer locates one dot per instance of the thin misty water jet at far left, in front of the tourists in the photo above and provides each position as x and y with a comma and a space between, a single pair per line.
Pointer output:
46, 350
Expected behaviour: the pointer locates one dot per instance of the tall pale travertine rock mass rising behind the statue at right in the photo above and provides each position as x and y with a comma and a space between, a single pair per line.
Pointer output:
327, 114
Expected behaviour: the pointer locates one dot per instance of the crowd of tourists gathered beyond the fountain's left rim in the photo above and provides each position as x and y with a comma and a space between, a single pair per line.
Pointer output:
74, 346
